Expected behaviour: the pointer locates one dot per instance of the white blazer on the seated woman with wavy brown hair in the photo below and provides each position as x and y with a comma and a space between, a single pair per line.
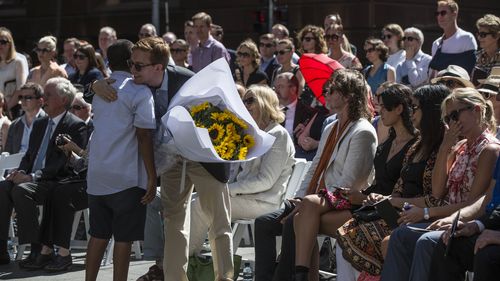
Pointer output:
351, 162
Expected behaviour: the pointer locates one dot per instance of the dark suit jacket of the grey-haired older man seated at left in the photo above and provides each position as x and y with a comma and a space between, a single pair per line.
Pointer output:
55, 158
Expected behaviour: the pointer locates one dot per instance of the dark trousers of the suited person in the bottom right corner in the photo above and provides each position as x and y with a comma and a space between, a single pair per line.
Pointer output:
485, 263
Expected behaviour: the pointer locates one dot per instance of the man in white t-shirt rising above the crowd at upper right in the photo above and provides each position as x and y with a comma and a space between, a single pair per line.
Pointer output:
454, 39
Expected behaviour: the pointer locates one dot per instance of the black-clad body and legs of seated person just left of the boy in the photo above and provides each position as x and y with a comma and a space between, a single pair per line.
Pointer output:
59, 210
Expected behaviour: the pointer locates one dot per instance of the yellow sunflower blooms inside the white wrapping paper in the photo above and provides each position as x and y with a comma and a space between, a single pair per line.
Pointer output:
226, 131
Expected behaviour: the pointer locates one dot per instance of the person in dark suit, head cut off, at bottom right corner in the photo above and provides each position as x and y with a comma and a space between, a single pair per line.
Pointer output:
475, 246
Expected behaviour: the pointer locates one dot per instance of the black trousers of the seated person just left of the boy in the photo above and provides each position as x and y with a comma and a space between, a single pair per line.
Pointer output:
59, 210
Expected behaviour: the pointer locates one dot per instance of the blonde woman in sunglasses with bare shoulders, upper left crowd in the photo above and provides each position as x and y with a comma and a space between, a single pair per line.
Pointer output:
48, 68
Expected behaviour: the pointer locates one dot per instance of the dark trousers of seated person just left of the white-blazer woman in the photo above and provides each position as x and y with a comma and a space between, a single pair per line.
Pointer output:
267, 228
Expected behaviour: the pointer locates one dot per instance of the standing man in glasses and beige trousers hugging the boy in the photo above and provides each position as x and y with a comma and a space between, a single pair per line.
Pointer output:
150, 67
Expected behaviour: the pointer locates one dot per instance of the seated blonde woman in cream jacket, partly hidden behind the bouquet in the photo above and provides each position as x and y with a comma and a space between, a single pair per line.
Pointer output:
259, 185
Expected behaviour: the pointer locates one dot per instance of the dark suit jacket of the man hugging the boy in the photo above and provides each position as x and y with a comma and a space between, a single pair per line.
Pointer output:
177, 76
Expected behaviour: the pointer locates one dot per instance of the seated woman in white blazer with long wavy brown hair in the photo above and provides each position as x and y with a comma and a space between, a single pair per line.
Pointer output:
348, 165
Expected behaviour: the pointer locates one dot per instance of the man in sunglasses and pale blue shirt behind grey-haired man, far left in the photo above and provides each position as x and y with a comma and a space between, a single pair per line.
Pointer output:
19, 131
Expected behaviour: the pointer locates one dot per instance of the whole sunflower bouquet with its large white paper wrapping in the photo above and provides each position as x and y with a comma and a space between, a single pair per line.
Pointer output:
207, 122
